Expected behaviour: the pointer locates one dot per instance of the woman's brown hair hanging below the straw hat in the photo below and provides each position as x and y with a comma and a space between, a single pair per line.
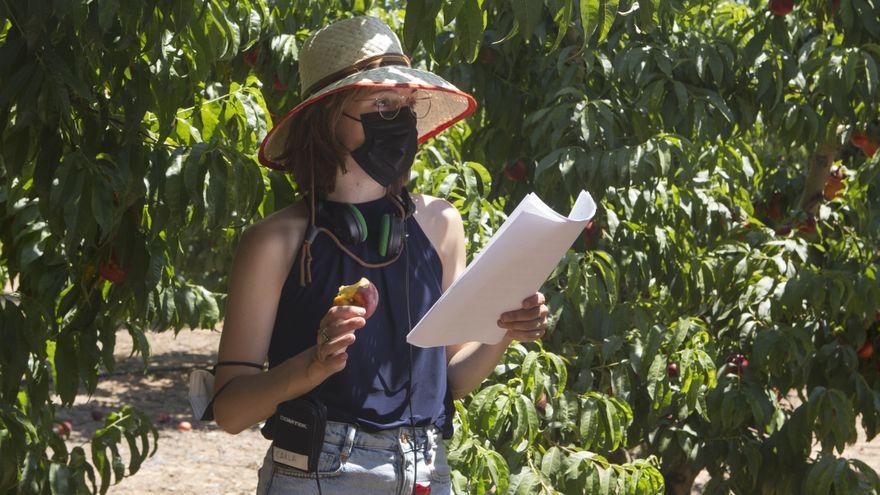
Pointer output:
312, 143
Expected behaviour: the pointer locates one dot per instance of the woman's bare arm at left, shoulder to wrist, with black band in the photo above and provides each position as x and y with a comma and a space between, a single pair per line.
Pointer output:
260, 266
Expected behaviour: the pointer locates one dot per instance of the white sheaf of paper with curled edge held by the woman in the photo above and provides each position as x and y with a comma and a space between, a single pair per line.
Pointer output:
511, 267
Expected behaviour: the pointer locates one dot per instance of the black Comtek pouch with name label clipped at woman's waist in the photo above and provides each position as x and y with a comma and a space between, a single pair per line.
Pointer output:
298, 433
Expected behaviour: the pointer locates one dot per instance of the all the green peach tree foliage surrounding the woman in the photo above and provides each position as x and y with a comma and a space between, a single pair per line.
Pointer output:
706, 130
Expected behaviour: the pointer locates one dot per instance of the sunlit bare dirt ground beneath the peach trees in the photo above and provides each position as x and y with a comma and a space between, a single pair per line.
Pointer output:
206, 460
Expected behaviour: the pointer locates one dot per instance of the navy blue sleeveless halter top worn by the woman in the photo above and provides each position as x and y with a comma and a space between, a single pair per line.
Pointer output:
371, 391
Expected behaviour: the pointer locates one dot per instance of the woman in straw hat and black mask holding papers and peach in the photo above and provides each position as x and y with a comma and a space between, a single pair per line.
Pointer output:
350, 145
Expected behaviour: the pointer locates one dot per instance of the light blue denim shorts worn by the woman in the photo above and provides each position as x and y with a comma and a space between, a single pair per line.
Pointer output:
356, 461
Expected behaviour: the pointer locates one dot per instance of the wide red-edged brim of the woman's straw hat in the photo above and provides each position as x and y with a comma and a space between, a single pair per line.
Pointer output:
448, 104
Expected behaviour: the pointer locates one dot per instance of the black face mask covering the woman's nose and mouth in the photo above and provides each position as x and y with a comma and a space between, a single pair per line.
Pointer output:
389, 145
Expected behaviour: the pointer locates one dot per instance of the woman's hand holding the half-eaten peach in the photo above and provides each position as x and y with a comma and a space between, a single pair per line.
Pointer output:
338, 325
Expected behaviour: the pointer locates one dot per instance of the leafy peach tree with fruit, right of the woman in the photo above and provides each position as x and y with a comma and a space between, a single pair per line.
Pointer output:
721, 311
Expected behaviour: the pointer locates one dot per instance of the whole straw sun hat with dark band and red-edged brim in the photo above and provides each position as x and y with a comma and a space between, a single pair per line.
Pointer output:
364, 51
